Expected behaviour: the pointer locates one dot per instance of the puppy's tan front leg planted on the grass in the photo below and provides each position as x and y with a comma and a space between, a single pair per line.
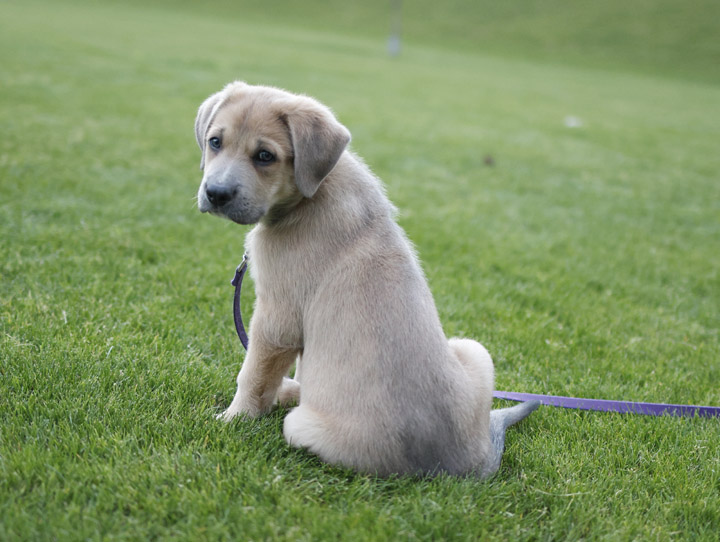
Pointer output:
260, 378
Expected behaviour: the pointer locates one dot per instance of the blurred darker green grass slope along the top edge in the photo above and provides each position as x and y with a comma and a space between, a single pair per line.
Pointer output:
660, 37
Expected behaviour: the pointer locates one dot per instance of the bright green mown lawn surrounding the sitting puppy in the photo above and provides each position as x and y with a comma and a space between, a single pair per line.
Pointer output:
585, 259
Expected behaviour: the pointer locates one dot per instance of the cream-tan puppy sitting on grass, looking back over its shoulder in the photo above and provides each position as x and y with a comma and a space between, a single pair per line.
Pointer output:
340, 291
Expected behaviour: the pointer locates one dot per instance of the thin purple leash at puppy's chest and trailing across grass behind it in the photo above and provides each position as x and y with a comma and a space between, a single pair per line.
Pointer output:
602, 405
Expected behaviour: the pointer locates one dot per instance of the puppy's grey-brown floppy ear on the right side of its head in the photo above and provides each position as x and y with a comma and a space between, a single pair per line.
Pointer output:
318, 141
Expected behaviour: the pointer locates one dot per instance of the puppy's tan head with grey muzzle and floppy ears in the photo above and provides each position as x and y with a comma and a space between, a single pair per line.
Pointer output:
263, 151
